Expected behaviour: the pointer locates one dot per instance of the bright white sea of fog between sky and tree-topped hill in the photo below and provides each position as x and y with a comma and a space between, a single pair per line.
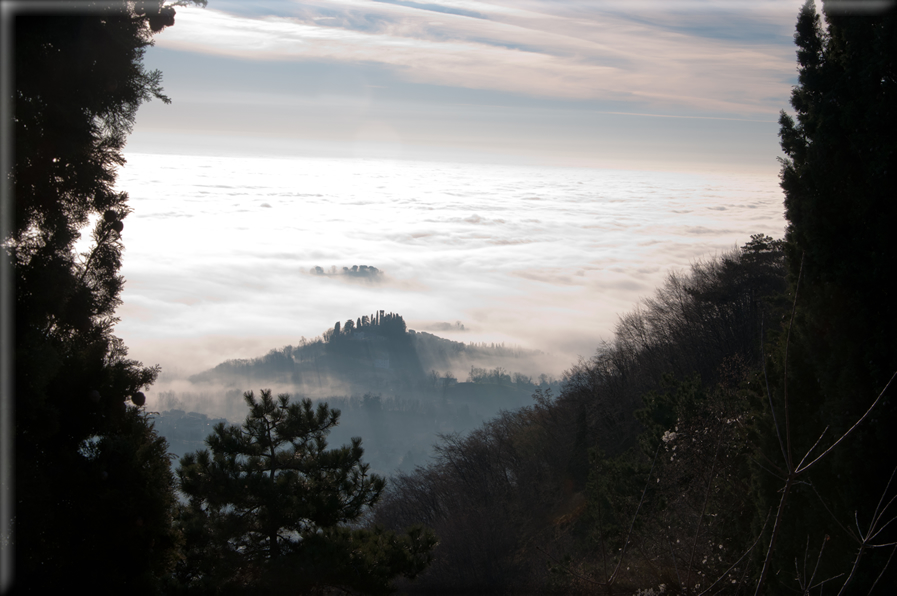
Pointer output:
220, 250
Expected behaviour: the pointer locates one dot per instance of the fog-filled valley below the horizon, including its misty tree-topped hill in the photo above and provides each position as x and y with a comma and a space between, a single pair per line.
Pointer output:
504, 276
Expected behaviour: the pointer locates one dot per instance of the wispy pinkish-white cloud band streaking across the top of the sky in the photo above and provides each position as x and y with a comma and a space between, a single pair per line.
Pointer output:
667, 59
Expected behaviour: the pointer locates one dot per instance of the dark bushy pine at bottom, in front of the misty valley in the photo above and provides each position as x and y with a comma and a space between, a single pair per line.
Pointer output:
268, 508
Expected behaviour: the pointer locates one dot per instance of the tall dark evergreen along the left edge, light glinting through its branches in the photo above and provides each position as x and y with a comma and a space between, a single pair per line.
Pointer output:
93, 486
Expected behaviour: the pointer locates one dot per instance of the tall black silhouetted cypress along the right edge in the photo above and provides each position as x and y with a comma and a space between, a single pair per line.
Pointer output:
841, 349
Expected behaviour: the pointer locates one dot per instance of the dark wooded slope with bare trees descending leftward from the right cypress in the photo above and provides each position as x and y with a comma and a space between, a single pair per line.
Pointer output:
634, 475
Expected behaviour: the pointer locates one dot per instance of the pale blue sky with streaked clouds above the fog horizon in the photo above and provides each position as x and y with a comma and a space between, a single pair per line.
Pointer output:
632, 84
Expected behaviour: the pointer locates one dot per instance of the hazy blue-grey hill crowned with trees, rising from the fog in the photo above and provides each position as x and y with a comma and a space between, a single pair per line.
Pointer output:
372, 369
